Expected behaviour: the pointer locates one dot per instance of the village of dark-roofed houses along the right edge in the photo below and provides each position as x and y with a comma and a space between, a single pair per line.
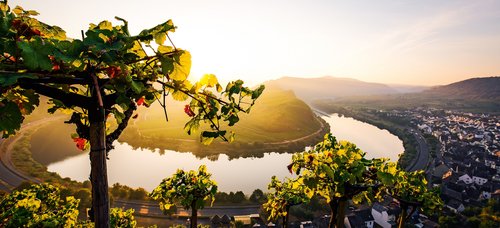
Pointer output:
467, 164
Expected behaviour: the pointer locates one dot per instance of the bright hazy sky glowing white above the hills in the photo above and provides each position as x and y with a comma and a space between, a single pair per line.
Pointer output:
421, 42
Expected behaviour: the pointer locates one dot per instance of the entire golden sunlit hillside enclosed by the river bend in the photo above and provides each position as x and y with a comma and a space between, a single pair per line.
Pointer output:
275, 124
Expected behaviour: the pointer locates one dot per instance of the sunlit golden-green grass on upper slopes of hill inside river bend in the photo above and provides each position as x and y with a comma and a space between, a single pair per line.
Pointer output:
278, 115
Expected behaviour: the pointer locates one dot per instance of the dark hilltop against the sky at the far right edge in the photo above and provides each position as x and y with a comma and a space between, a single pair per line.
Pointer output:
474, 88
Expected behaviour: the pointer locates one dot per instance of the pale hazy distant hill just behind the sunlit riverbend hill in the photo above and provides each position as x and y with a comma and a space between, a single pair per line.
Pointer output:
309, 89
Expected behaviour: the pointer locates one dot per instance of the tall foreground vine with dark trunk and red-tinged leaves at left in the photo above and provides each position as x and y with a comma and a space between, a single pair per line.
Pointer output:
103, 77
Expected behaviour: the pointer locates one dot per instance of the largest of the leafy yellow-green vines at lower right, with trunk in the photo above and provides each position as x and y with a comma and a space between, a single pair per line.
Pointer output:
337, 171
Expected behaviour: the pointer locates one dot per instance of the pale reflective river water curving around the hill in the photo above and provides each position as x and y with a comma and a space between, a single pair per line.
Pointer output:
145, 168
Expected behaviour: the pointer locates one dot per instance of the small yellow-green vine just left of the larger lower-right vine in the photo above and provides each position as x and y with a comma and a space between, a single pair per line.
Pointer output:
283, 196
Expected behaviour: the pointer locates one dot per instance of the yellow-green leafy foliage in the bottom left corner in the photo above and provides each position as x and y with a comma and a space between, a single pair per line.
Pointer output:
38, 206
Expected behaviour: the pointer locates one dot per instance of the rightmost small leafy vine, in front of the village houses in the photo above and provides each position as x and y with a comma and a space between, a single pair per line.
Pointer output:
410, 189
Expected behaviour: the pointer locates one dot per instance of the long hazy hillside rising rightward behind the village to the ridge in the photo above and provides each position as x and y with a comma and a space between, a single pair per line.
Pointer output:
478, 95
